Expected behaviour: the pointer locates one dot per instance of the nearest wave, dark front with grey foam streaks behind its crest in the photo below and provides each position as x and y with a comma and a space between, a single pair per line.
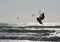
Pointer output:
34, 37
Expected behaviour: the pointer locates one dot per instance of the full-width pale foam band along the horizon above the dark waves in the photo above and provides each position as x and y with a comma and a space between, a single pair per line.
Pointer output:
31, 24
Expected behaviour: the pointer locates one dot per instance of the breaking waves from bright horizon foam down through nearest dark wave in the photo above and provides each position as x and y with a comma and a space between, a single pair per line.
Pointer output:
30, 31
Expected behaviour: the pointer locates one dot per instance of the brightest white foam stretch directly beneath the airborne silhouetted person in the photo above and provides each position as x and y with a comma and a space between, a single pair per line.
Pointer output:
37, 24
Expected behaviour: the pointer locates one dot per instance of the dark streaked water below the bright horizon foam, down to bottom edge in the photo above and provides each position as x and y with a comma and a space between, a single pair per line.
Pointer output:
29, 34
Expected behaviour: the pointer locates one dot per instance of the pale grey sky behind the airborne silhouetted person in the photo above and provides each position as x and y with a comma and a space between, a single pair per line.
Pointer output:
11, 9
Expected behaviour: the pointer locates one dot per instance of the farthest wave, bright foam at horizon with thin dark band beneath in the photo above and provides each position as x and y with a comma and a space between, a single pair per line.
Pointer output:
30, 25
